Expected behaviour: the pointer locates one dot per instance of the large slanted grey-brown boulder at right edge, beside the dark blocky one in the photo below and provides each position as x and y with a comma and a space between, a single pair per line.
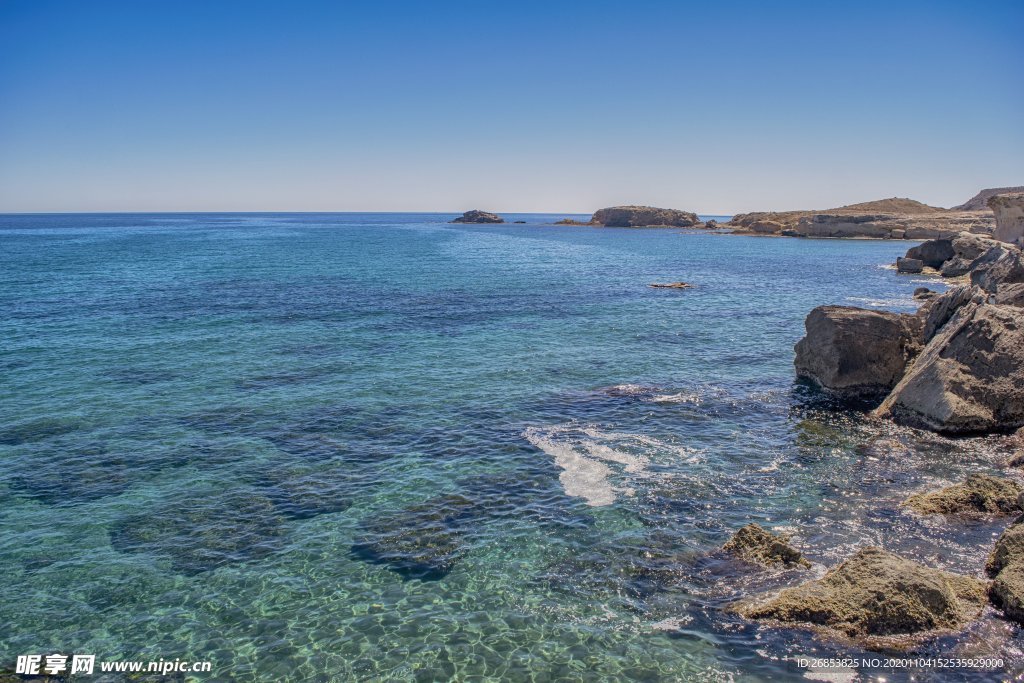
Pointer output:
970, 378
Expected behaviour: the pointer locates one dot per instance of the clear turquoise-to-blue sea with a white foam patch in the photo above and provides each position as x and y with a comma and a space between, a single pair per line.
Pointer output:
385, 448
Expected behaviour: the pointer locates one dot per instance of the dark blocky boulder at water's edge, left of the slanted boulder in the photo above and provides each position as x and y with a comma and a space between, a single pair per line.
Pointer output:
856, 353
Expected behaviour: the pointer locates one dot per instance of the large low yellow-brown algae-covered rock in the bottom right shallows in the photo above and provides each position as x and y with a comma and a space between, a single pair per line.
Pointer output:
878, 594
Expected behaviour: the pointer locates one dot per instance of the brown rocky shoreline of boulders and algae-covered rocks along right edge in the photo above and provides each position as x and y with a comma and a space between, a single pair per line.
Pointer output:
955, 367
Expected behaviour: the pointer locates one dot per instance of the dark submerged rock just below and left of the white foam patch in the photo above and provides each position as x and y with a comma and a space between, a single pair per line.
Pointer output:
424, 541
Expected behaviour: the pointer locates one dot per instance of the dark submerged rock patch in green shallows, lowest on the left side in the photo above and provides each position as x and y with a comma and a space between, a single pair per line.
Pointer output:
203, 532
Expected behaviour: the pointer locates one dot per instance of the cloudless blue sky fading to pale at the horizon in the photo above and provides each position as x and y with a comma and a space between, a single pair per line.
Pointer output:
716, 107
